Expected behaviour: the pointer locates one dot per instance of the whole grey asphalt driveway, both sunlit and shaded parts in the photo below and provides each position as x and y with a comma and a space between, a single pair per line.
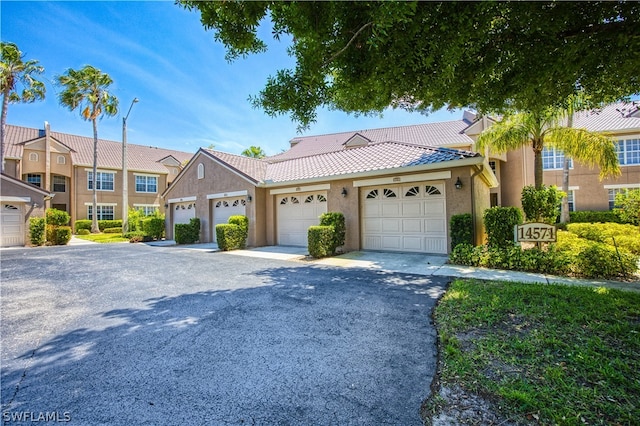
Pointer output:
131, 334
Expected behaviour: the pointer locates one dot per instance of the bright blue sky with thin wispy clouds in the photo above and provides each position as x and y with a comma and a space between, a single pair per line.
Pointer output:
190, 96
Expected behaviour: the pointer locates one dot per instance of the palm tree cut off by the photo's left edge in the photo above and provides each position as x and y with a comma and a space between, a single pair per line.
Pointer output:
15, 70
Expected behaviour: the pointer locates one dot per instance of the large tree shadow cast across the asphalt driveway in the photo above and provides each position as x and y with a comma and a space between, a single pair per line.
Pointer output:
309, 345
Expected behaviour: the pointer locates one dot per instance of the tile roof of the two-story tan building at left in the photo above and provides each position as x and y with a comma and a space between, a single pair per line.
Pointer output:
139, 157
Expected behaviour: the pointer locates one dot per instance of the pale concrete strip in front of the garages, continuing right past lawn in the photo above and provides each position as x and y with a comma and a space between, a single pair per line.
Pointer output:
410, 263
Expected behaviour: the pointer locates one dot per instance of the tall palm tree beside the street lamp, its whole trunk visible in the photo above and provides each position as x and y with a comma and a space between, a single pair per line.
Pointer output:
87, 89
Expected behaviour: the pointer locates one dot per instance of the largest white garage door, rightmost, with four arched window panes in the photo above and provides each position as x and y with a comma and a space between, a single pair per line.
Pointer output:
408, 218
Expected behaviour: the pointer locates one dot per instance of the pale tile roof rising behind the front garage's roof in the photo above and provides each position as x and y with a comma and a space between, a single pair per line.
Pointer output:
446, 133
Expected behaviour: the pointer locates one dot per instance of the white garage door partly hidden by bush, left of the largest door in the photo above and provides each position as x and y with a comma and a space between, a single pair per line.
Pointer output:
296, 213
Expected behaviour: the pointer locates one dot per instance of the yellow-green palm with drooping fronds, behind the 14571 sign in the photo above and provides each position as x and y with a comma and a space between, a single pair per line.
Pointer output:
544, 128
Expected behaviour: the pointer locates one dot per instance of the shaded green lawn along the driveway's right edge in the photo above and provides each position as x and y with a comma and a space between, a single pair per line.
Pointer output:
559, 354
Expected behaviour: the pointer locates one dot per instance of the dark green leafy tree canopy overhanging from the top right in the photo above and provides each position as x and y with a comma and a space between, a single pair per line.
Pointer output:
362, 57
